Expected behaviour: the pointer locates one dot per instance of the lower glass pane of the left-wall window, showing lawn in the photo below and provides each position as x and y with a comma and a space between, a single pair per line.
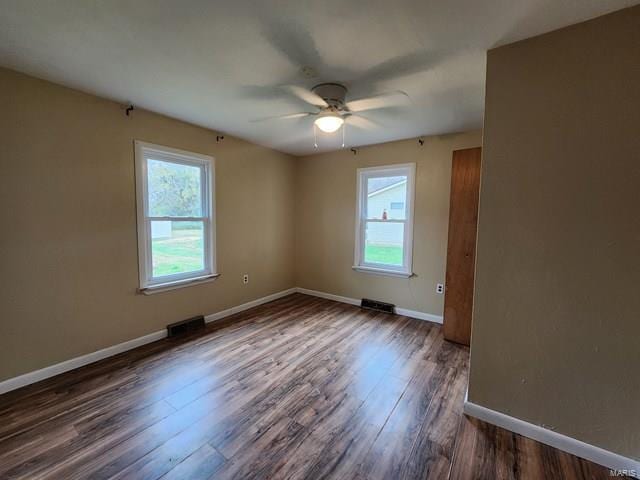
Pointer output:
177, 247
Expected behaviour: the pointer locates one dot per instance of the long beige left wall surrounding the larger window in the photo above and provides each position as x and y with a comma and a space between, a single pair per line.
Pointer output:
68, 252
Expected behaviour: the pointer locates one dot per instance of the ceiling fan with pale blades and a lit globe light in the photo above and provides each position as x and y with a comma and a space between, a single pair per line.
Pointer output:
332, 109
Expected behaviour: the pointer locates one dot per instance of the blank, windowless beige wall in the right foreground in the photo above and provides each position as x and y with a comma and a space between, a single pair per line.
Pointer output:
556, 332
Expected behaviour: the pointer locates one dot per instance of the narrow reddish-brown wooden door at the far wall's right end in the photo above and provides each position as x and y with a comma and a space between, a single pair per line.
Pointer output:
461, 251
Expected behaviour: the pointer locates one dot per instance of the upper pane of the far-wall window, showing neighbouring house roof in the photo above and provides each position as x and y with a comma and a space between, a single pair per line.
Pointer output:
386, 197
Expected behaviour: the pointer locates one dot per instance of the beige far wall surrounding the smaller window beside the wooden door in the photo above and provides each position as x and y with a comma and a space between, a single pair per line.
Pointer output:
325, 221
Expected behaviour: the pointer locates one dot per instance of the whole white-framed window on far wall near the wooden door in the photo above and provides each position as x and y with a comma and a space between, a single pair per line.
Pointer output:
384, 225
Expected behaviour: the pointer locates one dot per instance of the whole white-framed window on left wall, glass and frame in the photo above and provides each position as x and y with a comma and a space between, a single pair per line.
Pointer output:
176, 234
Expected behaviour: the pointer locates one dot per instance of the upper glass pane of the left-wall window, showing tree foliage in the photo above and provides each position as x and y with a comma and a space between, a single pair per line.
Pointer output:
174, 189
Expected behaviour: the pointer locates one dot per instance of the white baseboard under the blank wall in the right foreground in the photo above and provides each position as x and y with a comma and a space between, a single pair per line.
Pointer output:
561, 442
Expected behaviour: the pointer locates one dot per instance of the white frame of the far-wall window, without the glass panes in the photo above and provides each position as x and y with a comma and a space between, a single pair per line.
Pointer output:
405, 271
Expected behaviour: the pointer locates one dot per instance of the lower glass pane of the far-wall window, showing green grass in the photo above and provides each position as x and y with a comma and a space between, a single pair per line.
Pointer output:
384, 243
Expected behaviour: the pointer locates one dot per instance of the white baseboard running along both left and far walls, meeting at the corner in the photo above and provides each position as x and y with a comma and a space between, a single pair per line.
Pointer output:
77, 362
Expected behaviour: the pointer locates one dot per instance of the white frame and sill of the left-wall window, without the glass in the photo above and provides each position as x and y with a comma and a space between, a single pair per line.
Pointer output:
143, 152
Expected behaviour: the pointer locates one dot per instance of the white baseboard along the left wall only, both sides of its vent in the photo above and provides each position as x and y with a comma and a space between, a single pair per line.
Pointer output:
77, 362
